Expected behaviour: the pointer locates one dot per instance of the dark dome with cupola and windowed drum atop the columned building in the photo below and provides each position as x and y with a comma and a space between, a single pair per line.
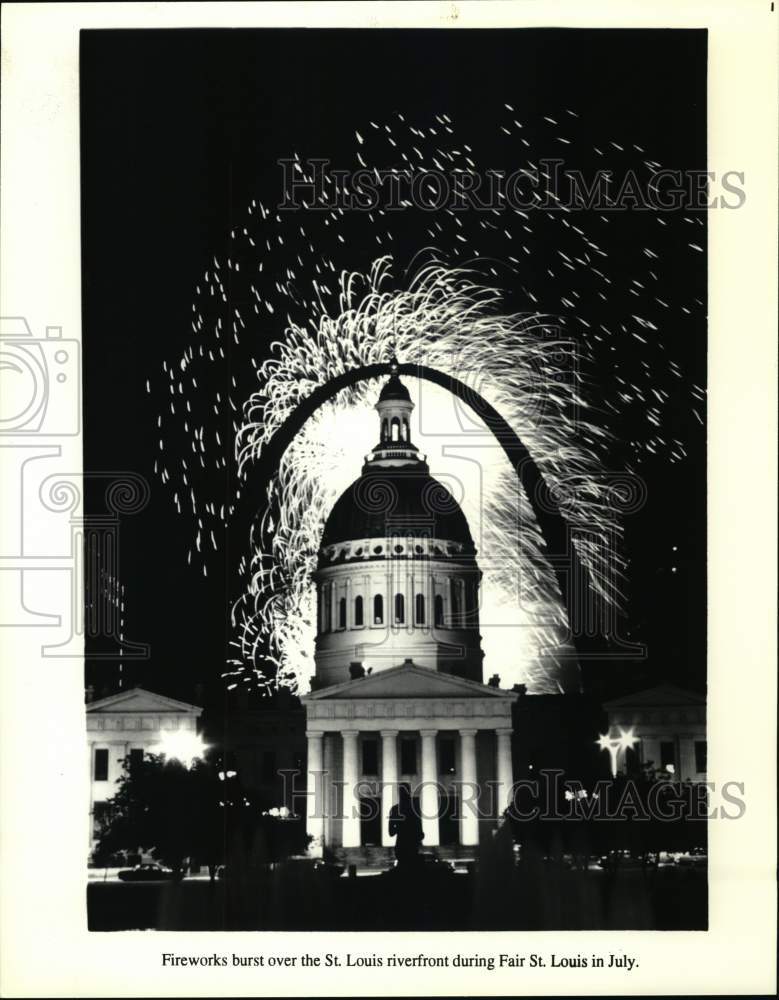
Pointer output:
397, 578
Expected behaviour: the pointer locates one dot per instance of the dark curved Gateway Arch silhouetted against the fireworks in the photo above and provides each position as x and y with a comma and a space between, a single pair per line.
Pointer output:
572, 578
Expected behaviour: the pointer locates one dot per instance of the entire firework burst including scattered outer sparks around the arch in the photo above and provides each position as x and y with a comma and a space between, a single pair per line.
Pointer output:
275, 266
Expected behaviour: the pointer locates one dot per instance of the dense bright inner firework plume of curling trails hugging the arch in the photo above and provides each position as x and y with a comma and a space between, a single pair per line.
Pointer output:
444, 317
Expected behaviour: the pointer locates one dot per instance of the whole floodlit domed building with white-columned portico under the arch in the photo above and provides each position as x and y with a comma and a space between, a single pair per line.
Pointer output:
397, 696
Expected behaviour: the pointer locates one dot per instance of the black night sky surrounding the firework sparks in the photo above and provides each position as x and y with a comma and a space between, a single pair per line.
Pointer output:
181, 129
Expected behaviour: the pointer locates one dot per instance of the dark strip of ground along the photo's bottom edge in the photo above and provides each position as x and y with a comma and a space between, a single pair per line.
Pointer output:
297, 898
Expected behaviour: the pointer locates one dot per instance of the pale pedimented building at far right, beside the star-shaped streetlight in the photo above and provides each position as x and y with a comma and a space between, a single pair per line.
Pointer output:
668, 726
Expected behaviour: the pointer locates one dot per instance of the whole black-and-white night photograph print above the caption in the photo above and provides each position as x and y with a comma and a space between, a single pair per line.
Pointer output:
395, 354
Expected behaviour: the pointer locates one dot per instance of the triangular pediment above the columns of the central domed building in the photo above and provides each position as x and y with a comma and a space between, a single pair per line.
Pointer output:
408, 681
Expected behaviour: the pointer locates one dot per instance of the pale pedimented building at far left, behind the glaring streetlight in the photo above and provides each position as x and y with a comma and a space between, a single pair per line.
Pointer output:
133, 722
